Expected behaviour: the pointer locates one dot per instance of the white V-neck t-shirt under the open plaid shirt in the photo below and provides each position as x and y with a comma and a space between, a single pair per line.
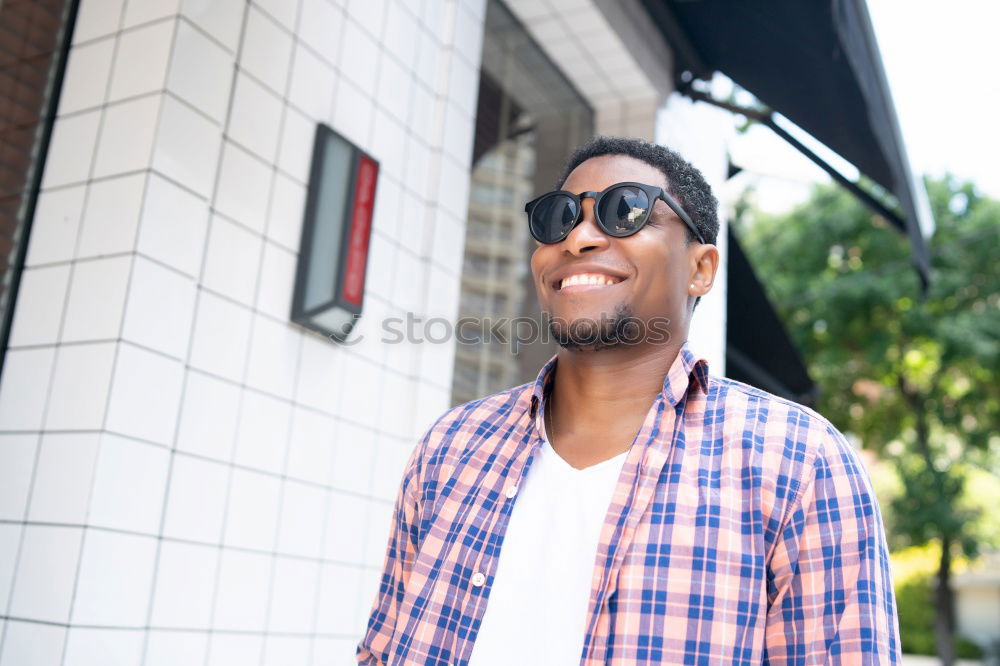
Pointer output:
537, 609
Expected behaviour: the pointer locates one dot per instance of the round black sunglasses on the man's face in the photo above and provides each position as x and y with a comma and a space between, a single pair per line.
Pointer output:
621, 210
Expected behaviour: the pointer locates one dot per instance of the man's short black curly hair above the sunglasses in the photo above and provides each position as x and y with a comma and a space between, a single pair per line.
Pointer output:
684, 182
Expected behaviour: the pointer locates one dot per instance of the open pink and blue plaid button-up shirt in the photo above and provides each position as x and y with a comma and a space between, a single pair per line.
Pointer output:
743, 530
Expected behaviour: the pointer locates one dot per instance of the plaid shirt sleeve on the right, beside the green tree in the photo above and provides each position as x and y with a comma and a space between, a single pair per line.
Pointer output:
830, 593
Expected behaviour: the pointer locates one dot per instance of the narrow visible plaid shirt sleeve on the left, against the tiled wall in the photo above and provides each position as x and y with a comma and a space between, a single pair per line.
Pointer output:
401, 551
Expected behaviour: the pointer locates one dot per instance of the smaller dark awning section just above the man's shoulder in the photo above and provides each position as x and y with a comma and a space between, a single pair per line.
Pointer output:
758, 349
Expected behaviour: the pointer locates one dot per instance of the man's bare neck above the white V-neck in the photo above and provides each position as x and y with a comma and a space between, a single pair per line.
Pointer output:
600, 399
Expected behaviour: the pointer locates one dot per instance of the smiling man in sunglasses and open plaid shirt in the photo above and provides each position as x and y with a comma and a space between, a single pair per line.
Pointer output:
629, 507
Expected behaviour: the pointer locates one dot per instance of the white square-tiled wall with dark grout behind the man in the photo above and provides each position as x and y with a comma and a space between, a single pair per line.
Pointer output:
184, 477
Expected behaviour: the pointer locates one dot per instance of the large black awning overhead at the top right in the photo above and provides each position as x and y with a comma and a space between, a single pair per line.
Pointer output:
817, 64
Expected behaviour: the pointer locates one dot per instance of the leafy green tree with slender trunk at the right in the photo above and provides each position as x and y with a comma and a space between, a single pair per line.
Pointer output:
914, 378
